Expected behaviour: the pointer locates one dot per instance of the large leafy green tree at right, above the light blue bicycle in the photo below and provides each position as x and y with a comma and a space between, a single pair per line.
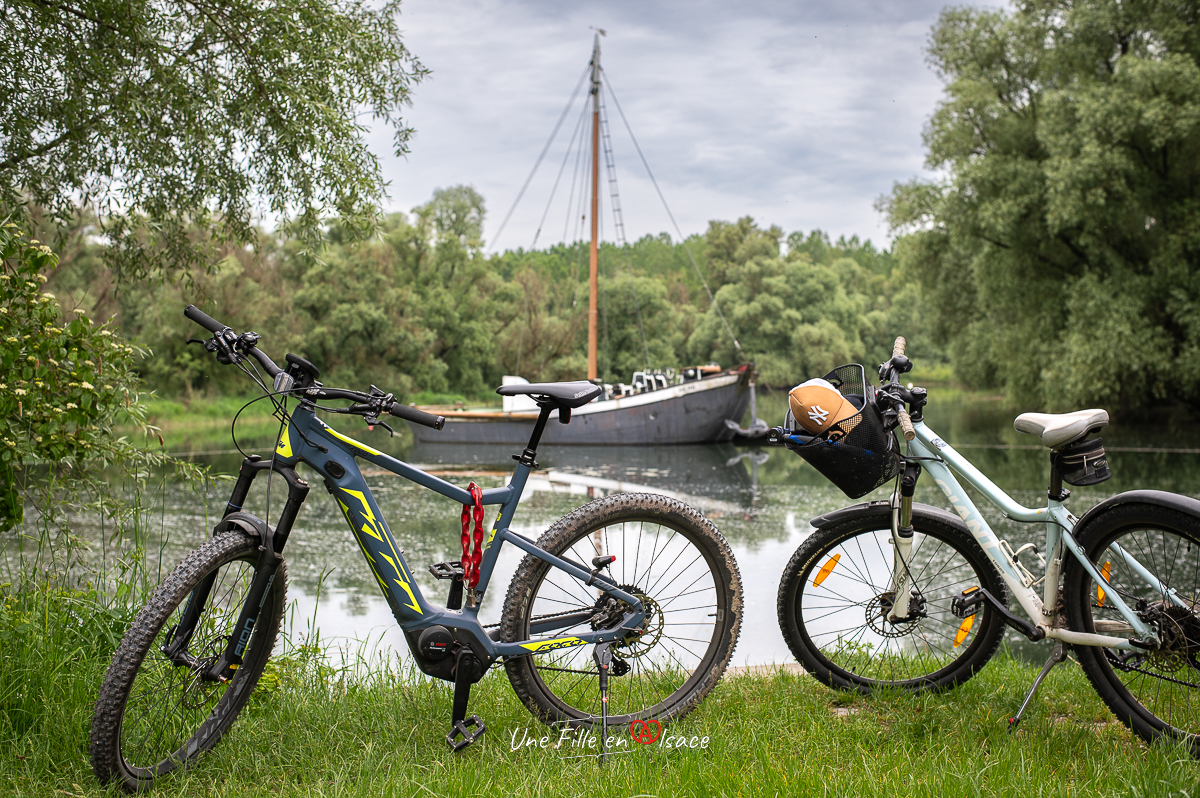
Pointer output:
1063, 250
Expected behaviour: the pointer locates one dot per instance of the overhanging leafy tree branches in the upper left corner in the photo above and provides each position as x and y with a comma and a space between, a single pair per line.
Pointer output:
179, 119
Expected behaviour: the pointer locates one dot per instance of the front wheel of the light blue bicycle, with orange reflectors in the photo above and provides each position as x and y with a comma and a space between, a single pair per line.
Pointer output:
836, 599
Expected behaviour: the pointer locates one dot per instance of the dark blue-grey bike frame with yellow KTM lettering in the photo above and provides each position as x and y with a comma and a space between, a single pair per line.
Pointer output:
333, 455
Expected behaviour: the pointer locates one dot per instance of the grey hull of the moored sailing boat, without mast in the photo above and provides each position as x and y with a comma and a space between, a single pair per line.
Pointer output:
682, 415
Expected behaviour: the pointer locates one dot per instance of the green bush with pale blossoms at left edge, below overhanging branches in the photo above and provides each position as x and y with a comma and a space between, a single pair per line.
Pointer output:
68, 385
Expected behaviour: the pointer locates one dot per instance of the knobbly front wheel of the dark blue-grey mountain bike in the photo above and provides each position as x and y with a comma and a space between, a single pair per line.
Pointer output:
155, 715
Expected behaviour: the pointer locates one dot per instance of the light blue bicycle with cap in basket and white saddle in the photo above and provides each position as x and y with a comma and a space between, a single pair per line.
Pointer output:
903, 595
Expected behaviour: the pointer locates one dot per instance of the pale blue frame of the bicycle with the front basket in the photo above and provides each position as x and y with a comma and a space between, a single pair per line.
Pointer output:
943, 463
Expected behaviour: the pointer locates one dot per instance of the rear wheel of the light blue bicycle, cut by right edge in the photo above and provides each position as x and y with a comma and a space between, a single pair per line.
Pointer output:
1151, 559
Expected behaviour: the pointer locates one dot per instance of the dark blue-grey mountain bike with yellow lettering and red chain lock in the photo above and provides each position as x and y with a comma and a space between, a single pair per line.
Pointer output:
627, 609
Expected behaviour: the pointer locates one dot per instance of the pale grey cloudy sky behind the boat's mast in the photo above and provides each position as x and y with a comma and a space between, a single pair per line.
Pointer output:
800, 115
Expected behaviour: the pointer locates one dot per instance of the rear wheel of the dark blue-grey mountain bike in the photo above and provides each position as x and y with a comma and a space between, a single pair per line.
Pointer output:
677, 563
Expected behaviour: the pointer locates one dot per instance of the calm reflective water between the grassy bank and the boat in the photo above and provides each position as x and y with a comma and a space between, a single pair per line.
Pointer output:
760, 499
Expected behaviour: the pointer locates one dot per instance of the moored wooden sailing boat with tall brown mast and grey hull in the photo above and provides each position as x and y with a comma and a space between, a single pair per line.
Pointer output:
703, 405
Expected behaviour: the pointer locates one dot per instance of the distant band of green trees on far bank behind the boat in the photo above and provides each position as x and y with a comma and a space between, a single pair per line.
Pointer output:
419, 310
